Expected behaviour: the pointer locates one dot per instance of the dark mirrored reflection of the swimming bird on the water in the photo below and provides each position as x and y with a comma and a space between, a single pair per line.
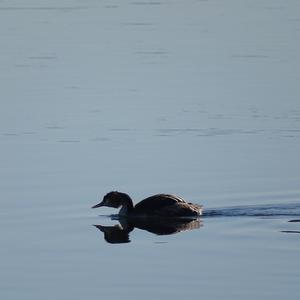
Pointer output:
120, 233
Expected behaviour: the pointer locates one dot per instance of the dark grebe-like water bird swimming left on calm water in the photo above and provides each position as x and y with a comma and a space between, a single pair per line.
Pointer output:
160, 205
